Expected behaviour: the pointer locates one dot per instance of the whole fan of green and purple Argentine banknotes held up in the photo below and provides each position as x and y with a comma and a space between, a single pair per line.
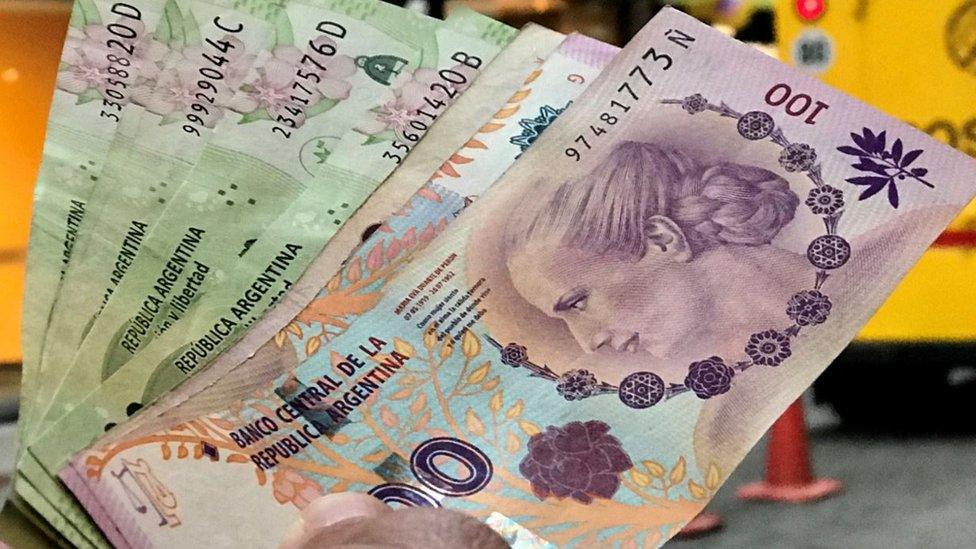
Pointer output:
287, 248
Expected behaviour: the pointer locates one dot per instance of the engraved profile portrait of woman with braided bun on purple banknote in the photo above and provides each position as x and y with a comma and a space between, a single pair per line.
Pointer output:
680, 243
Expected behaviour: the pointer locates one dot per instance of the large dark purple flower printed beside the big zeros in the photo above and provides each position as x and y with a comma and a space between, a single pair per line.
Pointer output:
578, 460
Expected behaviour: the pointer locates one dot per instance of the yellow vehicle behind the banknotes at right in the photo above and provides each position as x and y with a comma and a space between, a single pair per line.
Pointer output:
917, 61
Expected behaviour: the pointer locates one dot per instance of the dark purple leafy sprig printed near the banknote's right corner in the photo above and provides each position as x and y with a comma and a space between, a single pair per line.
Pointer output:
886, 166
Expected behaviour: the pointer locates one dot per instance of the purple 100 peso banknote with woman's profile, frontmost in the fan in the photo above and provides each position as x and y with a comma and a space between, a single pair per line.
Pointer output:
597, 342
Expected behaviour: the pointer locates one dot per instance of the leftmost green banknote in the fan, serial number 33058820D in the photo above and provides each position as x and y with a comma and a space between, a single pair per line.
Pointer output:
107, 52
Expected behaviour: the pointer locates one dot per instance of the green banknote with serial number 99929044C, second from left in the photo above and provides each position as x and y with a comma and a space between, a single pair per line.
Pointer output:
159, 139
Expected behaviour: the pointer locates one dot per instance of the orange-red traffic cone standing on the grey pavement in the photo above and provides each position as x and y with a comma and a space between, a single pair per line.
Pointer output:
789, 474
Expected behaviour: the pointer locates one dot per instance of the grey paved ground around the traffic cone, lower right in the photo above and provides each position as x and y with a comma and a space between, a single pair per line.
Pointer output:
900, 492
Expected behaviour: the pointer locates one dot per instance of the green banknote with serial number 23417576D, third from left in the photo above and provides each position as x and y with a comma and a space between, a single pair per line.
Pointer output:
251, 171
